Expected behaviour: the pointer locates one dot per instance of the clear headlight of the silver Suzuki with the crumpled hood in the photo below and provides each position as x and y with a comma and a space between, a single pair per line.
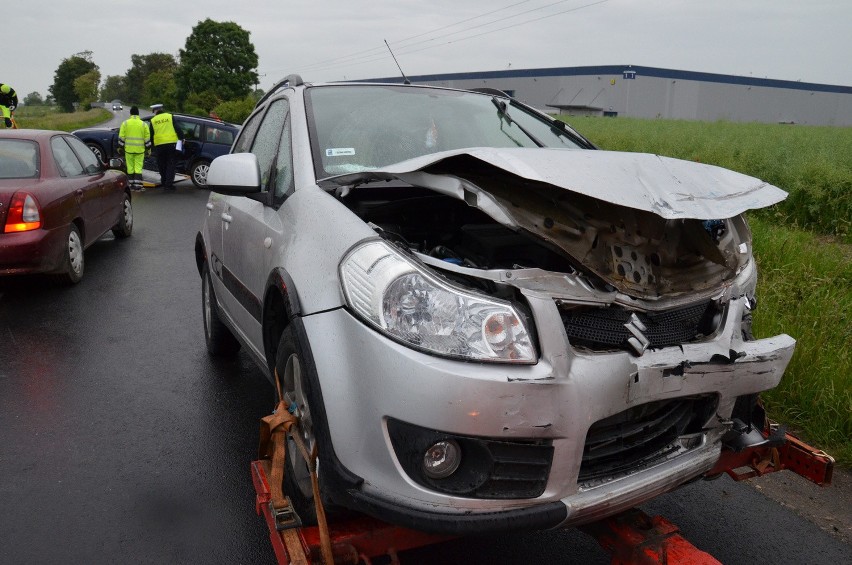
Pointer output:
411, 305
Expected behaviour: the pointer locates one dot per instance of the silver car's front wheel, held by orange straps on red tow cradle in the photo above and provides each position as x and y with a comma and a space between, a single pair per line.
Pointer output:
294, 380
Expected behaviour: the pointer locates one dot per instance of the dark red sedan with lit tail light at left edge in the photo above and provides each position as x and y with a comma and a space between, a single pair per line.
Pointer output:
56, 199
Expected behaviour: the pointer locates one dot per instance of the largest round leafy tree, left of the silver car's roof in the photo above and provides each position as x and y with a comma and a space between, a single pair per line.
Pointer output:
218, 57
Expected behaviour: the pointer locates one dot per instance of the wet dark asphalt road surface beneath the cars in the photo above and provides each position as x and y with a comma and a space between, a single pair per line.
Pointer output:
121, 441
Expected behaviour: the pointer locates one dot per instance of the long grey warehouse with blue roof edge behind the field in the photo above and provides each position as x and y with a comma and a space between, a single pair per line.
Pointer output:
649, 92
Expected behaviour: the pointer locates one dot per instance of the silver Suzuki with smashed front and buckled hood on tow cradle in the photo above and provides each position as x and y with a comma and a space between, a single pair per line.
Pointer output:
483, 321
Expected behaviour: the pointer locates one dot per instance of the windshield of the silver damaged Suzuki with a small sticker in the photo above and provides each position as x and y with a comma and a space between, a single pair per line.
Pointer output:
365, 127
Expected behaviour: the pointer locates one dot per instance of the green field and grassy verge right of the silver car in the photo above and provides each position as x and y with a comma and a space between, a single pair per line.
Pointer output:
803, 247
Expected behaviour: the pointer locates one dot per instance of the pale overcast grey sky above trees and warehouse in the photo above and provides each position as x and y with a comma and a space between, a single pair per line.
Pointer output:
330, 40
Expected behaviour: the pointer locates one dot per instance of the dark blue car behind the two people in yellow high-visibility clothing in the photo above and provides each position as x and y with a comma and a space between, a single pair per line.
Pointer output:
204, 139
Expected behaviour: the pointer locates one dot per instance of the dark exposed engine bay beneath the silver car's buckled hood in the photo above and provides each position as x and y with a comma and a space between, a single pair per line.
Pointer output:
636, 252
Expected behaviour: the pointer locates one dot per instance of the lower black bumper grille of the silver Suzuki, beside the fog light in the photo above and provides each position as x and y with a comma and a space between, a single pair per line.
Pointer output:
641, 435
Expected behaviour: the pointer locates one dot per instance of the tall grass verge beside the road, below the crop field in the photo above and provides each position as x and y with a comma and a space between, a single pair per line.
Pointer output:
805, 290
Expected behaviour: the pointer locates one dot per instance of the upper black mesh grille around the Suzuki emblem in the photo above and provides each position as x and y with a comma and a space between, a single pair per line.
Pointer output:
603, 328
